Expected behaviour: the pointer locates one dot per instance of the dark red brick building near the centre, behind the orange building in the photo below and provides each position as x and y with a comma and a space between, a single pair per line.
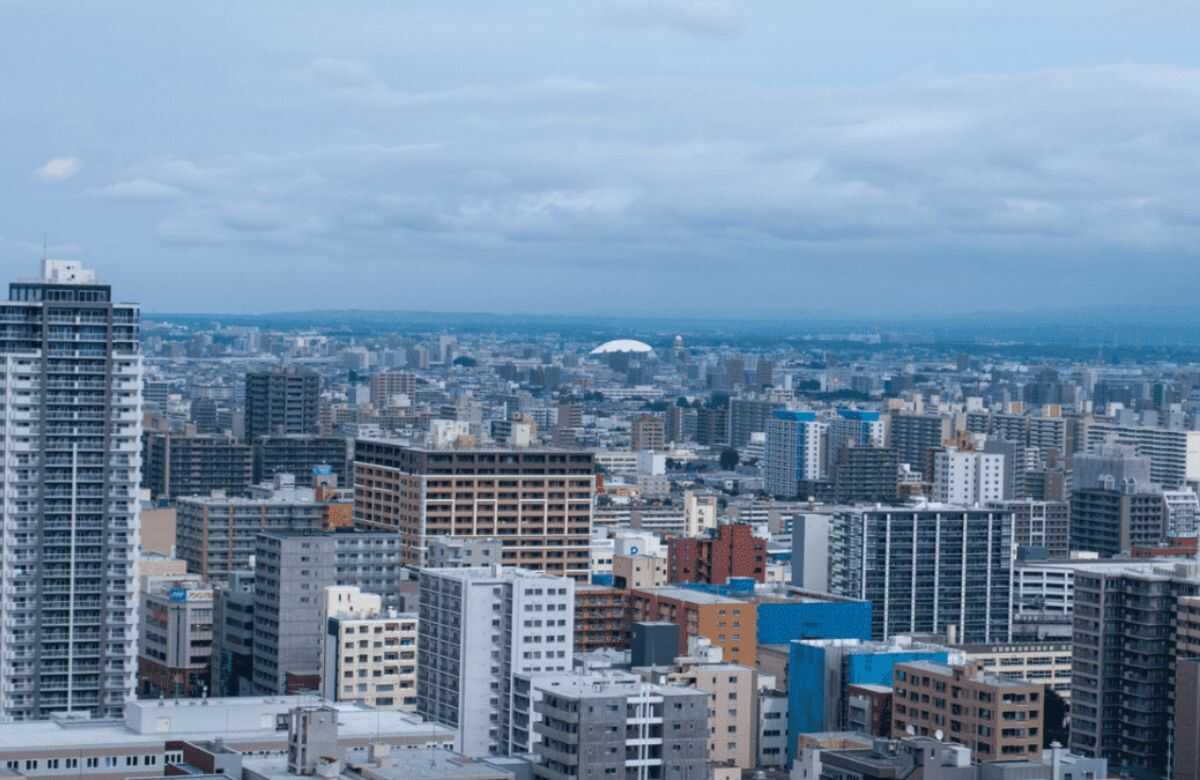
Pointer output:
733, 551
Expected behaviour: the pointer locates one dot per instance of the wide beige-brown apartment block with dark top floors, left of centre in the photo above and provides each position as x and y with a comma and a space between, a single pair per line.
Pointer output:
538, 503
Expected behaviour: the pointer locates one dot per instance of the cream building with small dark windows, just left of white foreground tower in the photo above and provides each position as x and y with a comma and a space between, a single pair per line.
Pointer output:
369, 655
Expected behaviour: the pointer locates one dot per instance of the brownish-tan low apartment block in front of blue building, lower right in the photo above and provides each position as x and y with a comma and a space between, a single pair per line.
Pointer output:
998, 718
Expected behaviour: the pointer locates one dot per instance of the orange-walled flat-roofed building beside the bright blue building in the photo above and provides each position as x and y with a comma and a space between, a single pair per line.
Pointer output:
729, 623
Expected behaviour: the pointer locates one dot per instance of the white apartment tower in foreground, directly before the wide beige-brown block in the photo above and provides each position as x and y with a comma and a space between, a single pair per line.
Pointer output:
478, 628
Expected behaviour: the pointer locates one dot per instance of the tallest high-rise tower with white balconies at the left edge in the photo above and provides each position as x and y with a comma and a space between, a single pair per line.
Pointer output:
70, 466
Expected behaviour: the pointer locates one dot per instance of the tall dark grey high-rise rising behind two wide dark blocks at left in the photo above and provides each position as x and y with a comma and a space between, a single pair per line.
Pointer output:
283, 401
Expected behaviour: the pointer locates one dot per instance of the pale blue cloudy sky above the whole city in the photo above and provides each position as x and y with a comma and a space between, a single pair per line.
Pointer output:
725, 159
